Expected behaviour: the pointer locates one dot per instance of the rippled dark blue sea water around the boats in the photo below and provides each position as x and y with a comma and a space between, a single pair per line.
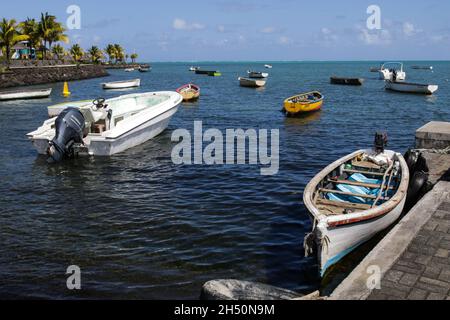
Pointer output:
141, 227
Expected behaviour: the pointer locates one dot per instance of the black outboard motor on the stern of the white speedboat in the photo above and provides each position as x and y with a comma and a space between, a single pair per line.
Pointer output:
69, 130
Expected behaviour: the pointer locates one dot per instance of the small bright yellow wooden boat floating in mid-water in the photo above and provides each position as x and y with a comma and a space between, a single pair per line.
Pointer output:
302, 103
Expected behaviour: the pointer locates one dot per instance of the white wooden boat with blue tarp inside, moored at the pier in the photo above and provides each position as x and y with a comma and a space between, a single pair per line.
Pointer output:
353, 199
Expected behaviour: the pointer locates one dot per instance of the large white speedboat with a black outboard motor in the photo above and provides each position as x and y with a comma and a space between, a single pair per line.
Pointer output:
106, 127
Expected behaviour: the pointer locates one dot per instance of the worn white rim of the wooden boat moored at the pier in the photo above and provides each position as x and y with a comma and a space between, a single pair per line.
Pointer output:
347, 219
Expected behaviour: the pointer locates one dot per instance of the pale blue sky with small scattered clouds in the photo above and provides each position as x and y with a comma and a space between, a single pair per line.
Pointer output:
206, 30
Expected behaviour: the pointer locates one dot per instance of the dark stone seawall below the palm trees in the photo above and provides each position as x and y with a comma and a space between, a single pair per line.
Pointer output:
25, 76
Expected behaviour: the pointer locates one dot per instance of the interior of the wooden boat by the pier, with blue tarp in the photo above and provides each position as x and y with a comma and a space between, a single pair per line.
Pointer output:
358, 185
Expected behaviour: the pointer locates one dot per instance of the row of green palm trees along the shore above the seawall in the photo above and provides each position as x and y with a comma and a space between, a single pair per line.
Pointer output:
44, 39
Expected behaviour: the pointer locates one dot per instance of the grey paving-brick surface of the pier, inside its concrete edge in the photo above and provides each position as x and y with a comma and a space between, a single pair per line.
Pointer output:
423, 270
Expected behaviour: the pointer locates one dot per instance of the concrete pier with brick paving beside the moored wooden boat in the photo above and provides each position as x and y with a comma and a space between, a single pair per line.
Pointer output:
413, 260
